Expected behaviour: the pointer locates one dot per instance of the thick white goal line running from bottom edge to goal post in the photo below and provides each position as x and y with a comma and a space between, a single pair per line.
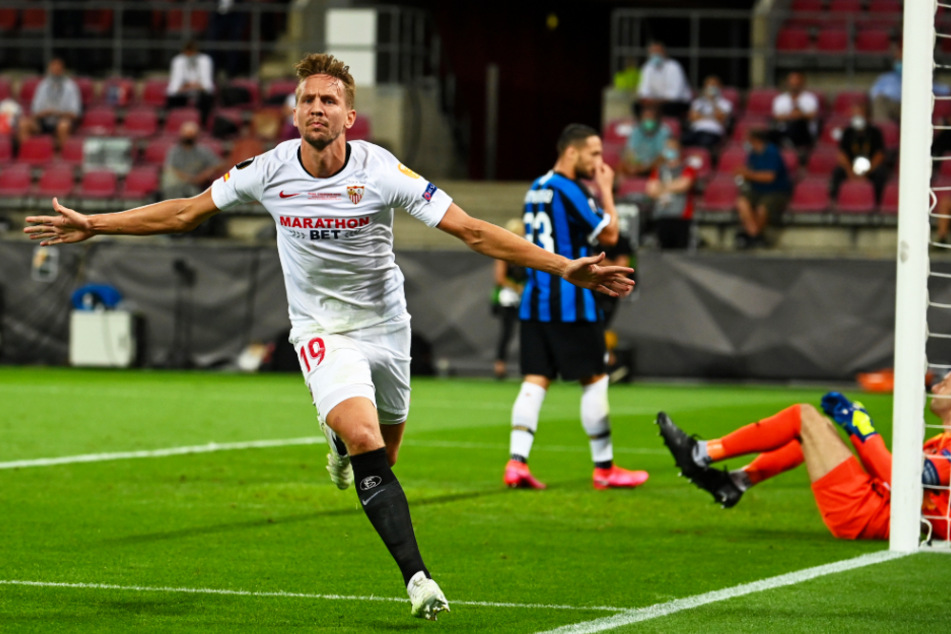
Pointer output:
678, 605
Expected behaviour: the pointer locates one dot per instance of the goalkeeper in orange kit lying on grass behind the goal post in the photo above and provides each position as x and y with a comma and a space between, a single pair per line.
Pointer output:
853, 494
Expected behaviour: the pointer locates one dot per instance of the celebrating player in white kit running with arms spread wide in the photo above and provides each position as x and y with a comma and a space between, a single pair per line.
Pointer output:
332, 202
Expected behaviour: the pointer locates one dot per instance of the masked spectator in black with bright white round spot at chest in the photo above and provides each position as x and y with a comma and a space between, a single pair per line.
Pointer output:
861, 154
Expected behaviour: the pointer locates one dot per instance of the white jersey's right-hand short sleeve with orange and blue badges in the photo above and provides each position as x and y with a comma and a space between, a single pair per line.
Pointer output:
402, 187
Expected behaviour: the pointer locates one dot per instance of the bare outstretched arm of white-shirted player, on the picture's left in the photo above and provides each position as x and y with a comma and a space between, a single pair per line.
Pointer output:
169, 216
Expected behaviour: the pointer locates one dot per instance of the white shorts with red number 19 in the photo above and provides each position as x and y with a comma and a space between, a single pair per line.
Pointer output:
371, 362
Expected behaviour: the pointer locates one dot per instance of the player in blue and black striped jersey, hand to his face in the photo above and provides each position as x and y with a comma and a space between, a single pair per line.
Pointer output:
562, 329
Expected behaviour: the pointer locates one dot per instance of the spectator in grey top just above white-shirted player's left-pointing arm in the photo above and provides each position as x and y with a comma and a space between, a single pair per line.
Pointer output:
189, 167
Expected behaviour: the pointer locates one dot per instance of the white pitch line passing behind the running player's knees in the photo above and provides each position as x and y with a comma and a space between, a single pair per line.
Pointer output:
264, 444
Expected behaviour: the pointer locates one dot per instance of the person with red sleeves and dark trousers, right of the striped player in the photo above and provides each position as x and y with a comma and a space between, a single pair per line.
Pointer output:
671, 188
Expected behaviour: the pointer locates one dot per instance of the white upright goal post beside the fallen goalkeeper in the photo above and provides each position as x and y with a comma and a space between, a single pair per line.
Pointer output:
911, 311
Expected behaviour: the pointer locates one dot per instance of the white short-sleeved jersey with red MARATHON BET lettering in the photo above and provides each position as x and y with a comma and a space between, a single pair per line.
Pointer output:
335, 235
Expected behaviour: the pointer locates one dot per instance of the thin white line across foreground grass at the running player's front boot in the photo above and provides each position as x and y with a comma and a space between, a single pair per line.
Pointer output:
294, 595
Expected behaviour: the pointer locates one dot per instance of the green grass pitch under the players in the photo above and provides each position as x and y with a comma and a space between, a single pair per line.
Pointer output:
267, 520
